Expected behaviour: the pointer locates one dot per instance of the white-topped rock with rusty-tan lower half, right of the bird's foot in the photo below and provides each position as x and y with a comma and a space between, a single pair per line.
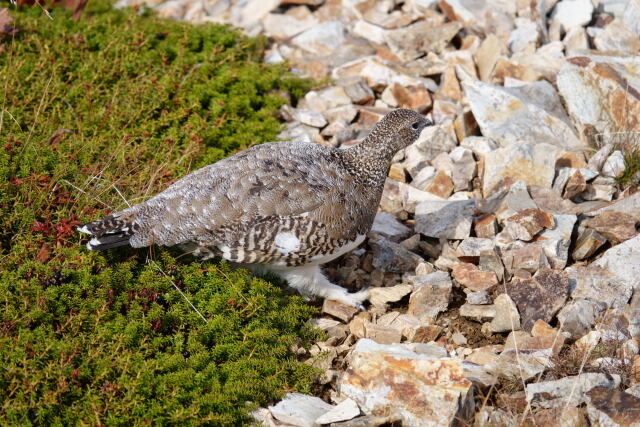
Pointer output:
431, 295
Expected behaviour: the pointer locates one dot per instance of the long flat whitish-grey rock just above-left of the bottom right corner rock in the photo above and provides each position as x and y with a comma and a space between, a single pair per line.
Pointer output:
568, 391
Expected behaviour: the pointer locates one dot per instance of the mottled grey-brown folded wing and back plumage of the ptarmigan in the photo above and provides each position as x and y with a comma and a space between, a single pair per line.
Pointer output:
270, 180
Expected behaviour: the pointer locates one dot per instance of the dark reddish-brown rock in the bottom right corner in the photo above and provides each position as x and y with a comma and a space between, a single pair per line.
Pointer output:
610, 407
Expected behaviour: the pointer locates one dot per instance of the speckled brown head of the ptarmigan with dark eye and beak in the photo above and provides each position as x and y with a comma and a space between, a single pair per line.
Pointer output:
397, 130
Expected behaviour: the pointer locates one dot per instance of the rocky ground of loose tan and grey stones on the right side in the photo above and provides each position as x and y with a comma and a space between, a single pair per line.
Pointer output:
504, 259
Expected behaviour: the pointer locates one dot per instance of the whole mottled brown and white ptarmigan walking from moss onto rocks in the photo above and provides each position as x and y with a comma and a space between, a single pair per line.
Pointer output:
285, 207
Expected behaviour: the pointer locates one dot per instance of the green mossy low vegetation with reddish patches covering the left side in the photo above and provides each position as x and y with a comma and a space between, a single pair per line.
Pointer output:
116, 106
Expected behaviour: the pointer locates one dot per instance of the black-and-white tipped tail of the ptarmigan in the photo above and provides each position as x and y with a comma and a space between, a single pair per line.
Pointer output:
109, 232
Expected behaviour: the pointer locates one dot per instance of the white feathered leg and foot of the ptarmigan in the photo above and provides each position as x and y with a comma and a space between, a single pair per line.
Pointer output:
310, 282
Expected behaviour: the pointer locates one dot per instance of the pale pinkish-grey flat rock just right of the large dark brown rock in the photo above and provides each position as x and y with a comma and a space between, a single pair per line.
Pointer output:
599, 285
